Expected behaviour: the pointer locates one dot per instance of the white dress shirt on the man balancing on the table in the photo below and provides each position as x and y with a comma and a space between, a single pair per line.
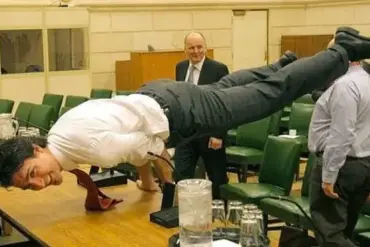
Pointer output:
107, 132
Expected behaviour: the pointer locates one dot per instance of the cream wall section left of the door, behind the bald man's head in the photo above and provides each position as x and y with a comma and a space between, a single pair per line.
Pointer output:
115, 33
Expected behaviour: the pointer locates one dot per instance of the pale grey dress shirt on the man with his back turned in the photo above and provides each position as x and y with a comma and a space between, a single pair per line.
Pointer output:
340, 122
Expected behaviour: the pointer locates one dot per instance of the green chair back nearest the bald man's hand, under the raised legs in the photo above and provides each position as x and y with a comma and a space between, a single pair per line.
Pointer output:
253, 135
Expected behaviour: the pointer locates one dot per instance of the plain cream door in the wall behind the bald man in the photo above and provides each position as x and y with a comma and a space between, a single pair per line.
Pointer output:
250, 39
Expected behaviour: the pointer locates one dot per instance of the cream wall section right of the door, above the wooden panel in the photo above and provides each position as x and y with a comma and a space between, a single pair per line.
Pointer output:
315, 21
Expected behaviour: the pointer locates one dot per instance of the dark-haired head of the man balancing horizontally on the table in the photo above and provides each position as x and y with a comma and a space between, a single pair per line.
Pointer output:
27, 163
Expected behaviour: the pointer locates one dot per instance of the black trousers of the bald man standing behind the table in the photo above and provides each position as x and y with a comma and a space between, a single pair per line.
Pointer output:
187, 154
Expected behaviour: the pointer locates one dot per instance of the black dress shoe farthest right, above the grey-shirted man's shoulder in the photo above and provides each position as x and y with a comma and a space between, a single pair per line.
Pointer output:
356, 45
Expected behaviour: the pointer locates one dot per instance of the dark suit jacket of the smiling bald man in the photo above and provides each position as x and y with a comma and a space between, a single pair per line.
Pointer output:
212, 71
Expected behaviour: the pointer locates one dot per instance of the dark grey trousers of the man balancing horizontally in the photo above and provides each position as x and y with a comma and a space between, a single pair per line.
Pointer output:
244, 96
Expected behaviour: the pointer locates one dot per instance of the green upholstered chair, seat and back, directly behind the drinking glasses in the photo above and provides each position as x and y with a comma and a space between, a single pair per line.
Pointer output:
280, 159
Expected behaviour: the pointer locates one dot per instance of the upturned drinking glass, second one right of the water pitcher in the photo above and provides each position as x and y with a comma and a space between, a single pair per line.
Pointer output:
233, 218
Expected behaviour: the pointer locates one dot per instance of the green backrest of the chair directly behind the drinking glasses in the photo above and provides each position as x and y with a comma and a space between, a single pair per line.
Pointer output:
280, 162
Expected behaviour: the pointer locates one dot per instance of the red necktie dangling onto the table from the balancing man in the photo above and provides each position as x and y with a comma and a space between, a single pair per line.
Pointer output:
95, 199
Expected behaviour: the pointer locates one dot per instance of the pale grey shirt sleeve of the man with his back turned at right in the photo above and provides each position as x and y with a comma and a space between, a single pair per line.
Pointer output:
343, 104
